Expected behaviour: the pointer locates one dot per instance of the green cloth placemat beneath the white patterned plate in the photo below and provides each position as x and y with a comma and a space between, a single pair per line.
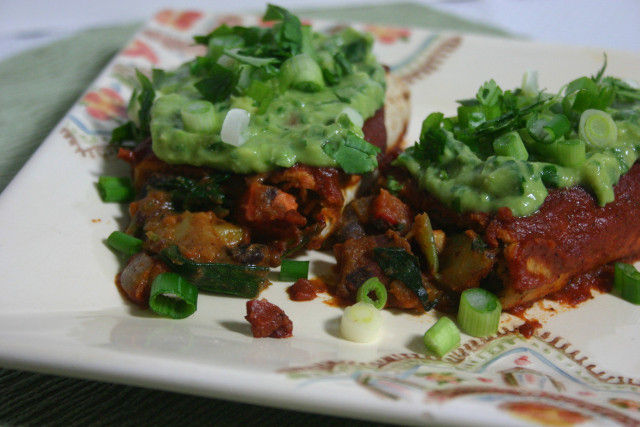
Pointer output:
38, 87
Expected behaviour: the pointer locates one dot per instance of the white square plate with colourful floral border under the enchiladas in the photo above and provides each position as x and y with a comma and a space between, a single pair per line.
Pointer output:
61, 313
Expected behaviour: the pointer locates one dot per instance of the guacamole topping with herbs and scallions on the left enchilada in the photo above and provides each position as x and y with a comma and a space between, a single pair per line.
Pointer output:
266, 97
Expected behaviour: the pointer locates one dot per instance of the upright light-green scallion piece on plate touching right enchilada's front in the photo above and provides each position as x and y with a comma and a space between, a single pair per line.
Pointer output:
479, 312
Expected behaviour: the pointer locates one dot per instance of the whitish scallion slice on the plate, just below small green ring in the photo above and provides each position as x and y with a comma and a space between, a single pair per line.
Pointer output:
361, 322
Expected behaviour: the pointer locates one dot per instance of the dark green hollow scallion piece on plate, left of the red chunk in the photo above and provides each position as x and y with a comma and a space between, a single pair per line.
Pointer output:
173, 296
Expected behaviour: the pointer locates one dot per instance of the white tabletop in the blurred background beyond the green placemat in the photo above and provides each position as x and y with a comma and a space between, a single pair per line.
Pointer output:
610, 24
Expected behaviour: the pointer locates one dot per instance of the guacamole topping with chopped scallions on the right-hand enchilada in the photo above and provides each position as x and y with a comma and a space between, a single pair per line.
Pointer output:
506, 149
